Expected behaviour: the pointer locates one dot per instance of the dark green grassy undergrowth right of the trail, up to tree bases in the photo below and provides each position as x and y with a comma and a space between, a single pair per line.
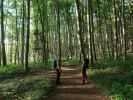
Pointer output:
114, 78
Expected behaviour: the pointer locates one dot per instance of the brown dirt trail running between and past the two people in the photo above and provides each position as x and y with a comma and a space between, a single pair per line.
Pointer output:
71, 87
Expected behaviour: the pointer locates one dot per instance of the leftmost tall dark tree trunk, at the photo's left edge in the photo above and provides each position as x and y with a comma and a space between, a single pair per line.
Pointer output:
3, 35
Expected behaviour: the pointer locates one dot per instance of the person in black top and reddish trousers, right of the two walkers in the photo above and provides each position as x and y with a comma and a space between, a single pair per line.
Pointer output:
84, 68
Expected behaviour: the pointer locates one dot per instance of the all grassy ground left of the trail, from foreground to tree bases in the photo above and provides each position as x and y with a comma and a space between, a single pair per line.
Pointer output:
15, 85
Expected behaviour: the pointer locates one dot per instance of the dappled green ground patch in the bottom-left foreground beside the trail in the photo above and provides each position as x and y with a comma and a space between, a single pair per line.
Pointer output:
25, 88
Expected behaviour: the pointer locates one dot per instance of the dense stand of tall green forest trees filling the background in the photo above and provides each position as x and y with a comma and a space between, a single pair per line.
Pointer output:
66, 29
